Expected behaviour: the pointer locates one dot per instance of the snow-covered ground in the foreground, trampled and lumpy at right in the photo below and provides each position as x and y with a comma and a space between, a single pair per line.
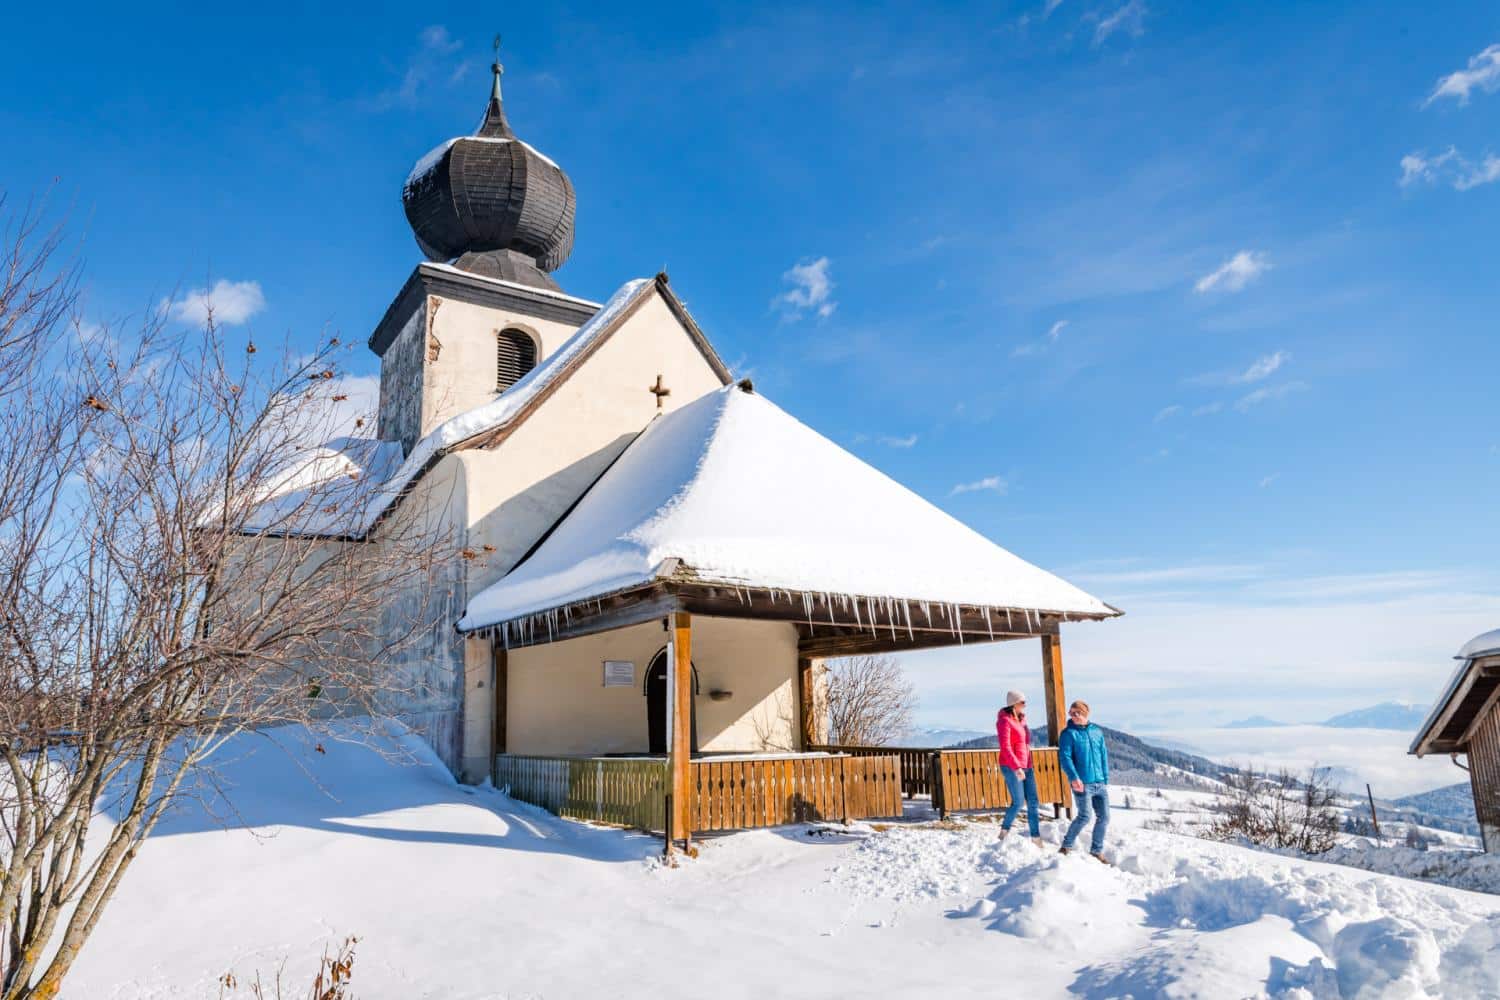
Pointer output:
466, 894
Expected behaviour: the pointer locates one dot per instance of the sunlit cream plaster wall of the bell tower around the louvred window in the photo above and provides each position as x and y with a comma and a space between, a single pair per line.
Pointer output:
464, 335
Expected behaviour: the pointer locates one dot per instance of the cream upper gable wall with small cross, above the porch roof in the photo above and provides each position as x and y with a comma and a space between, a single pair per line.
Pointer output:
520, 490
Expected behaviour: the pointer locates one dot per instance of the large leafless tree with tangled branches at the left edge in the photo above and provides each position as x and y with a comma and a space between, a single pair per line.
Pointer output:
161, 590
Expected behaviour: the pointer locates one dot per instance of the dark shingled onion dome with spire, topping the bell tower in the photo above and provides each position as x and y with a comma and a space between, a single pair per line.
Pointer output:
491, 202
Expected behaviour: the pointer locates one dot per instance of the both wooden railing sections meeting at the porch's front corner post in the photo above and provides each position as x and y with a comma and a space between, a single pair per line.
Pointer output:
730, 794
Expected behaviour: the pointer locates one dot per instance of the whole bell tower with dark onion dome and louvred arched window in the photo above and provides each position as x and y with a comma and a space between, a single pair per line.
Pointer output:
494, 218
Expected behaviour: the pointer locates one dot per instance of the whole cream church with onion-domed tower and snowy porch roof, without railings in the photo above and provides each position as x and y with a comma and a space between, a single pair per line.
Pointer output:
655, 557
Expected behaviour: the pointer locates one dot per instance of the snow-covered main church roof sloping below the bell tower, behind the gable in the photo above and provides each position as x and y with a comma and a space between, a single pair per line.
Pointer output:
388, 481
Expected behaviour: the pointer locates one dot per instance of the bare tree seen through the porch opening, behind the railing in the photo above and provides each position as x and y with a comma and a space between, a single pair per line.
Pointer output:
868, 701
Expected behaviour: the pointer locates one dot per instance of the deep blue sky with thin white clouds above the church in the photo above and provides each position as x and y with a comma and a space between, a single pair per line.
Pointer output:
1196, 305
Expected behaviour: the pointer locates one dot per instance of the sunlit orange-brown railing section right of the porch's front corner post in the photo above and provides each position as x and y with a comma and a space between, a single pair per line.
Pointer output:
770, 792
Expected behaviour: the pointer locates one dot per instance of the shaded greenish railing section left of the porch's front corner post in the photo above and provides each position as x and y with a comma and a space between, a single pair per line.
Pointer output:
626, 792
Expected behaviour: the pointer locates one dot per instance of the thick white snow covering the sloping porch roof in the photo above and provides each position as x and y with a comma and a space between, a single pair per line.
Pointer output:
743, 494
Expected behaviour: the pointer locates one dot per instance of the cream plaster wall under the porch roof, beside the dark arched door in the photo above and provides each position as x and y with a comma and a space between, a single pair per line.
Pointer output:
557, 702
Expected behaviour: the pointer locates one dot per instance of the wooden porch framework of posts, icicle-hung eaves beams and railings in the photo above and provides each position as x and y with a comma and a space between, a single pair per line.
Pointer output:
683, 795
